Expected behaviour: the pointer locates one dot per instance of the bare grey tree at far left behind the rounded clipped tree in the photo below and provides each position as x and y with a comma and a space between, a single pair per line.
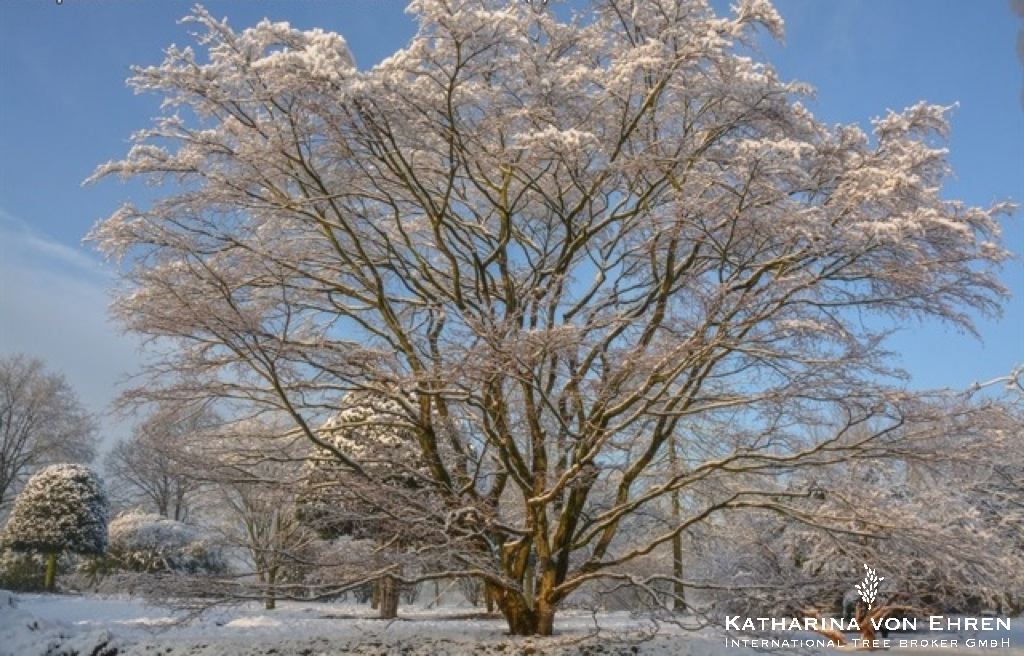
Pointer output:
41, 422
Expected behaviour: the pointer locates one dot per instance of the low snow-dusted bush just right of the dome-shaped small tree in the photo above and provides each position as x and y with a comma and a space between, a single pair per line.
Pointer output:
149, 543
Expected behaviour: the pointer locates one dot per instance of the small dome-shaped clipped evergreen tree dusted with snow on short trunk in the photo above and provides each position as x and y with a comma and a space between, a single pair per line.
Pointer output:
62, 509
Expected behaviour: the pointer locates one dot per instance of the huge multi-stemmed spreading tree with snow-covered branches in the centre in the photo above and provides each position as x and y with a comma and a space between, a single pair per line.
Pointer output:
559, 245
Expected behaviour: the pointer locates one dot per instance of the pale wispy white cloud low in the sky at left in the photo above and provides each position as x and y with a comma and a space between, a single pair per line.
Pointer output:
54, 304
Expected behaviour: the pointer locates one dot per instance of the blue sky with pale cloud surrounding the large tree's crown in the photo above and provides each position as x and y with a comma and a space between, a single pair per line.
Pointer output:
64, 109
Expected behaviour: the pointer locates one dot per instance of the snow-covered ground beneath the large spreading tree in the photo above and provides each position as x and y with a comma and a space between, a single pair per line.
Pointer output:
52, 625
